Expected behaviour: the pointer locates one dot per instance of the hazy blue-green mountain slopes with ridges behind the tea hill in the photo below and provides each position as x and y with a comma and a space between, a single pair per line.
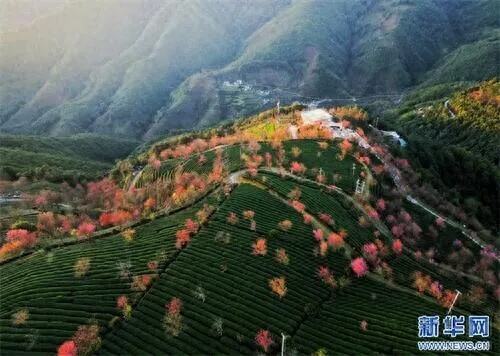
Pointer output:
144, 69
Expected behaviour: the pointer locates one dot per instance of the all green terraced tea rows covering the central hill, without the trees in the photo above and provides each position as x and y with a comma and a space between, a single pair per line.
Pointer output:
223, 279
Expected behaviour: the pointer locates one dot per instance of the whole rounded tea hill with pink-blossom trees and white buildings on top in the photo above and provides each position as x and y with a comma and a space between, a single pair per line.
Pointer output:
219, 240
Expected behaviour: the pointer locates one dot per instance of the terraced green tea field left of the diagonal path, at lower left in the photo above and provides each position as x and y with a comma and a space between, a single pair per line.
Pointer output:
45, 284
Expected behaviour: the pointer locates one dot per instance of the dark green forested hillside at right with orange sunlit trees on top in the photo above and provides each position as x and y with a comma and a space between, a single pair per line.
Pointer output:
454, 142
